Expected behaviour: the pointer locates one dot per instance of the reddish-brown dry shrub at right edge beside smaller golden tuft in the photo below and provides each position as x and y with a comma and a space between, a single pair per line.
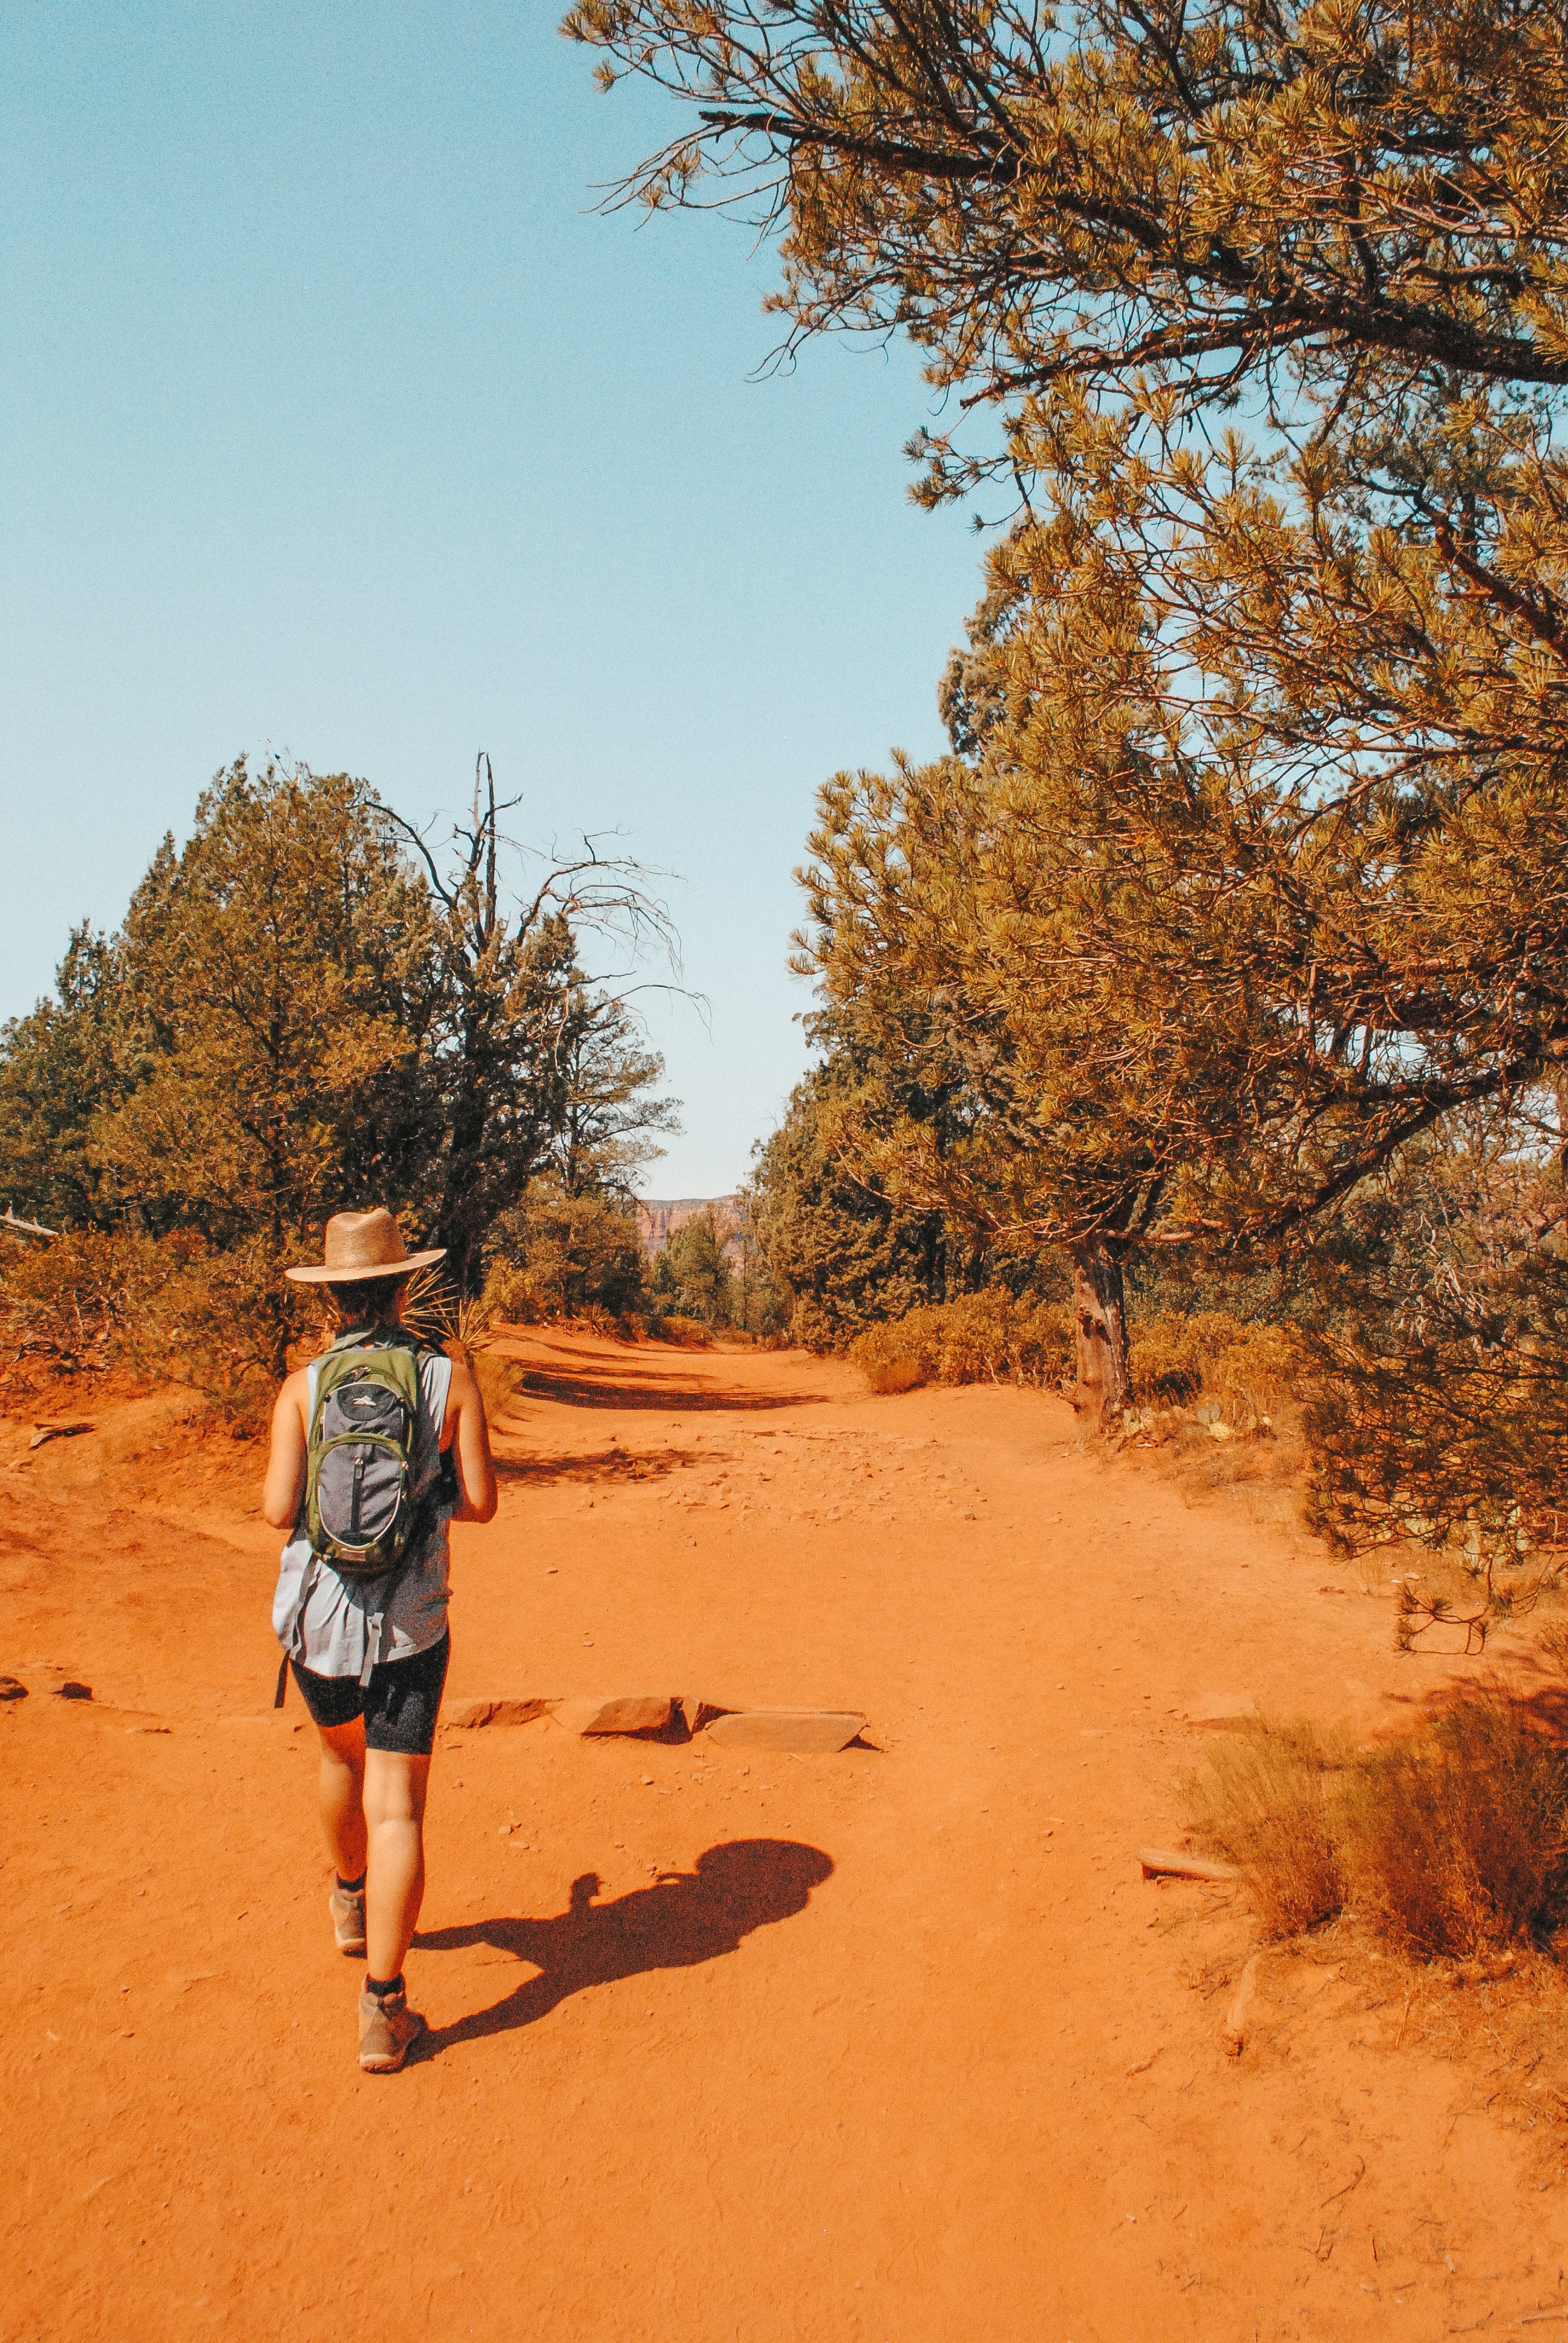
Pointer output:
1457, 1838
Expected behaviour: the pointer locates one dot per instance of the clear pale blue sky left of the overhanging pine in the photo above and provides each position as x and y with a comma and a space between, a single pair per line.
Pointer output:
339, 421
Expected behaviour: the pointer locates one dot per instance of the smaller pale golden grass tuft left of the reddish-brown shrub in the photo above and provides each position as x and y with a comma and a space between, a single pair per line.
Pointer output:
1264, 1801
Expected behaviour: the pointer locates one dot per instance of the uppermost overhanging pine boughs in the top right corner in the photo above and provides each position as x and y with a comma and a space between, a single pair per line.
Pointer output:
1213, 196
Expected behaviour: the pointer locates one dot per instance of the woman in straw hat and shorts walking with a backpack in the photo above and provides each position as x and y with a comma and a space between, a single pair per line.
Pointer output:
376, 1447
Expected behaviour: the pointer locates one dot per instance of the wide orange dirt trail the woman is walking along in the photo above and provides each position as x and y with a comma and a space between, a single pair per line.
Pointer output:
892, 2044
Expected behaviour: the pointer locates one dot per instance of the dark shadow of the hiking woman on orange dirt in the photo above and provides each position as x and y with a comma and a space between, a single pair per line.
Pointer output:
679, 1922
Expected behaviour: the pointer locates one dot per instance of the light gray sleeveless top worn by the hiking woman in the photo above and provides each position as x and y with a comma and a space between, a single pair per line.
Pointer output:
348, 1627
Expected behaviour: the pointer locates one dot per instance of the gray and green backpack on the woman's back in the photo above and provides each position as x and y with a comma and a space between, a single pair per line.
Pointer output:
360, 1461
